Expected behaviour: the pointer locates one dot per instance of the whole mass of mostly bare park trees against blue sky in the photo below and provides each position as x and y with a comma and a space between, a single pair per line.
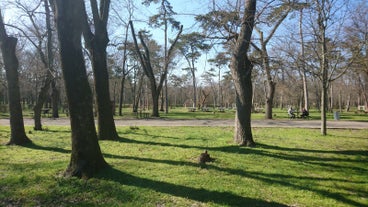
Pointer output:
67, 59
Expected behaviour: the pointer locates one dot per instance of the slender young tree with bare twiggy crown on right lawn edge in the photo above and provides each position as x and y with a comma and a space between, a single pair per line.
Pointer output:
328, 57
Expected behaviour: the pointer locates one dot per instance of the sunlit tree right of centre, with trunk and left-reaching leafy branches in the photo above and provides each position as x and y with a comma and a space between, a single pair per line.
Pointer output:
224, 26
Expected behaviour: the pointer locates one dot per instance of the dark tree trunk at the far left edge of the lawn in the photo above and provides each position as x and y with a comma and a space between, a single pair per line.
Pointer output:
8, 49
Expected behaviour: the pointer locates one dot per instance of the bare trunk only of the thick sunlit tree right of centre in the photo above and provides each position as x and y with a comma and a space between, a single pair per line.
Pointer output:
241, 69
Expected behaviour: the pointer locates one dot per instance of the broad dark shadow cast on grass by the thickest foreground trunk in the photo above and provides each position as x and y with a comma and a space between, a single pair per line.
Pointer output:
197, 194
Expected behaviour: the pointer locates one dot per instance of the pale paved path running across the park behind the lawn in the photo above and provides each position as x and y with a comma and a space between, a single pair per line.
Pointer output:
340, 124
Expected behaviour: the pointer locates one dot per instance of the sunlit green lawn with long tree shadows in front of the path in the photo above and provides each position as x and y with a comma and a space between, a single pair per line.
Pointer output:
157, 166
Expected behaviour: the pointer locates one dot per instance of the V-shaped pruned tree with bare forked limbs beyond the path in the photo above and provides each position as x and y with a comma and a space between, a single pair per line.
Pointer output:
145, 60
